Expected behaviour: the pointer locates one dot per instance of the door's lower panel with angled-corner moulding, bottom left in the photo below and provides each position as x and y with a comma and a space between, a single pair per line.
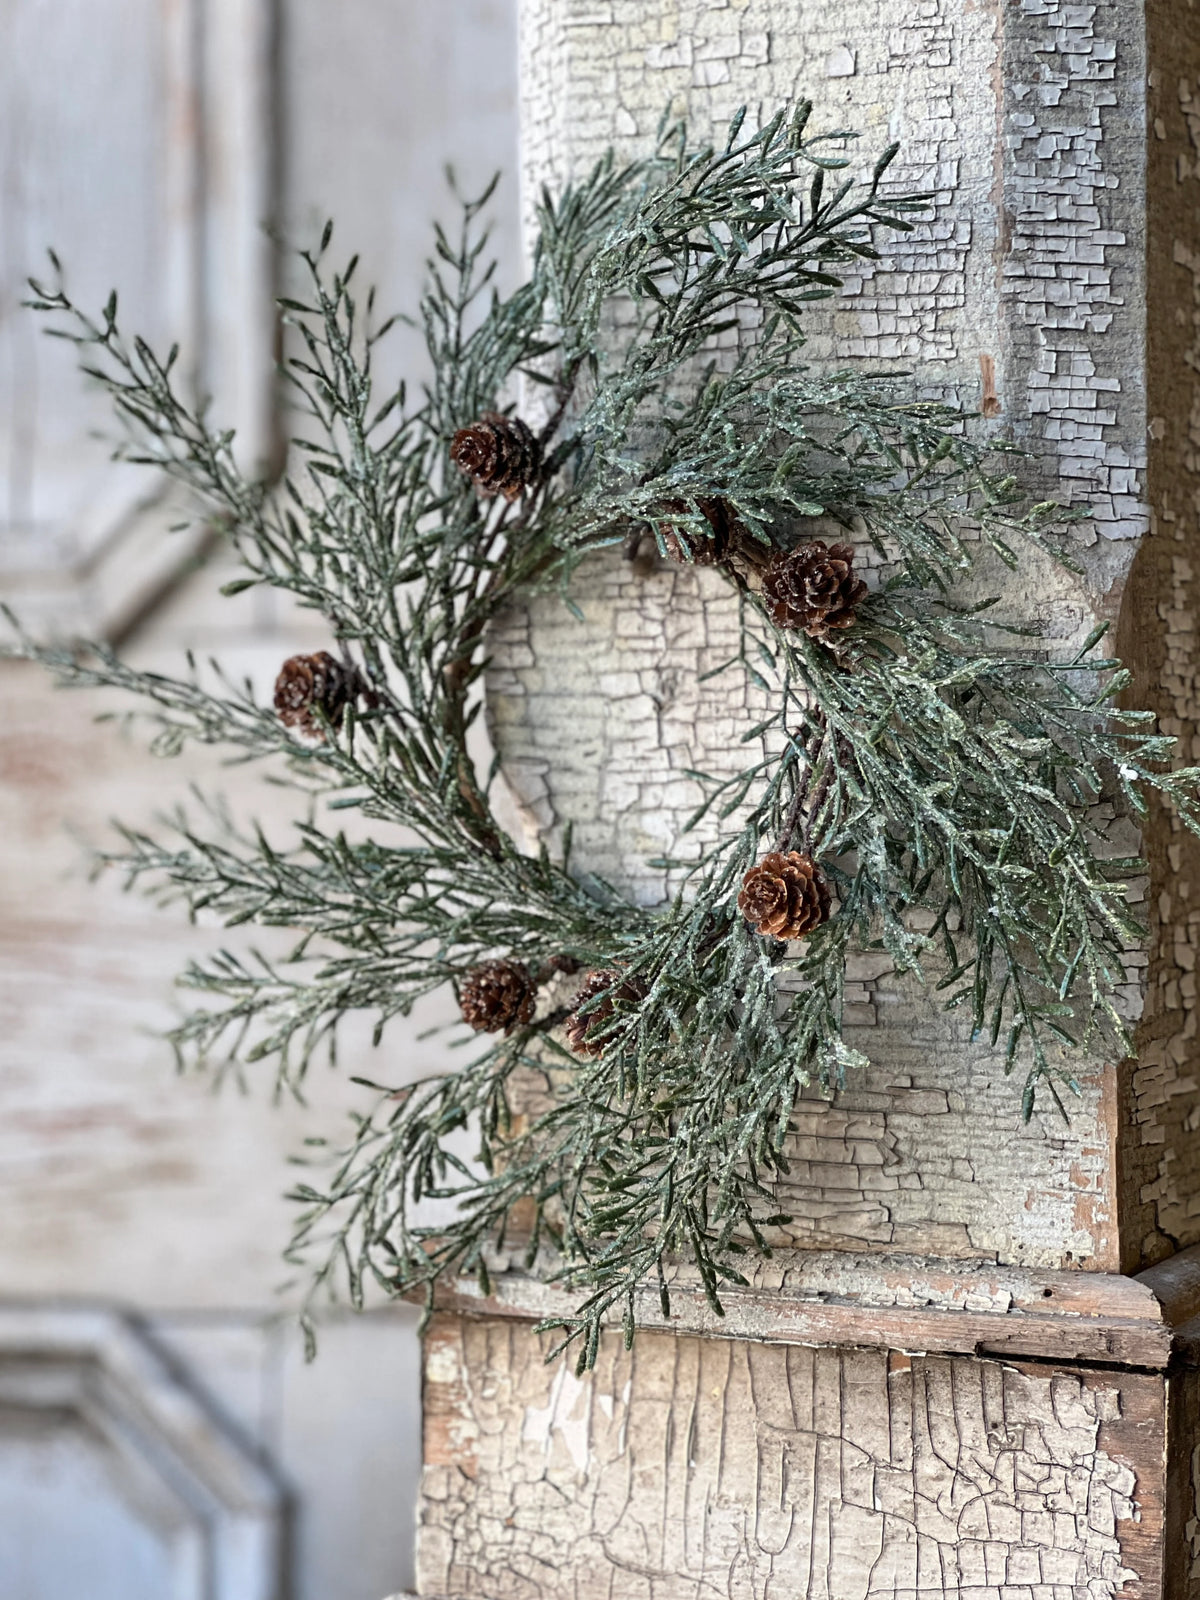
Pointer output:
108, 1425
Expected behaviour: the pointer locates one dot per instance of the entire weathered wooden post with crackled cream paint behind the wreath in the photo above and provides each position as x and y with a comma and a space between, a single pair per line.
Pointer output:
972, 1367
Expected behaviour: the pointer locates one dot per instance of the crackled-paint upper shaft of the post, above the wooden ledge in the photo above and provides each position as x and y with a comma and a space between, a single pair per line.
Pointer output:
1028, 289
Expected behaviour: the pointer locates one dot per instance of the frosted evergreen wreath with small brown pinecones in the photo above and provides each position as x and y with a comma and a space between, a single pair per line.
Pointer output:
919, 756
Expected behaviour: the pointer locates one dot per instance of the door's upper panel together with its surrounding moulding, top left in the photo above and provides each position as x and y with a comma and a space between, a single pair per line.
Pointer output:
135, 142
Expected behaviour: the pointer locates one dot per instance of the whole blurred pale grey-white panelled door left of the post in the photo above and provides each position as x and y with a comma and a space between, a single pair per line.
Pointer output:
175, 150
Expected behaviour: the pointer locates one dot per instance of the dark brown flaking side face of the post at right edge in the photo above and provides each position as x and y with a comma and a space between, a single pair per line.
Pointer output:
1161, 638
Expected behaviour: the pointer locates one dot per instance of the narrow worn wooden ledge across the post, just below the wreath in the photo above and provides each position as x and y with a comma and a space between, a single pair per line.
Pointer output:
908, 1303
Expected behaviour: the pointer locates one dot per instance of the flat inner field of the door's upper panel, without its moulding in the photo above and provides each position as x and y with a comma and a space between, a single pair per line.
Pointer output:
81, 177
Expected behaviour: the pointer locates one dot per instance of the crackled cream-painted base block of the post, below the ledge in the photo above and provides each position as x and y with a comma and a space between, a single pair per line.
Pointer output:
695, 1468
